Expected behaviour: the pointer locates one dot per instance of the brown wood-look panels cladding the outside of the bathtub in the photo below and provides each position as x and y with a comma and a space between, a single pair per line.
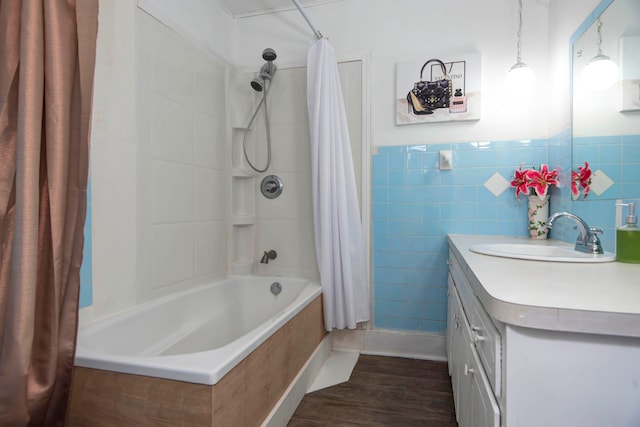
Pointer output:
243, 397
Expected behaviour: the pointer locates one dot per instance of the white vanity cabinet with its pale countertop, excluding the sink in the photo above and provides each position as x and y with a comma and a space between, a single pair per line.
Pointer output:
542, 344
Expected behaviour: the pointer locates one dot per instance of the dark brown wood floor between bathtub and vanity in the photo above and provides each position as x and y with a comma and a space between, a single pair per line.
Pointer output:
383, 391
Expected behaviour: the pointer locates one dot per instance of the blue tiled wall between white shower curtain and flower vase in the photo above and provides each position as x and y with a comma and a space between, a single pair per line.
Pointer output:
410, 249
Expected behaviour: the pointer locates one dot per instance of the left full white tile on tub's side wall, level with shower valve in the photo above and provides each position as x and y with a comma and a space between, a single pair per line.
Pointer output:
172, 192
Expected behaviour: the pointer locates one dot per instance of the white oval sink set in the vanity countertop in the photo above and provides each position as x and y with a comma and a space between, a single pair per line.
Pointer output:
540, 251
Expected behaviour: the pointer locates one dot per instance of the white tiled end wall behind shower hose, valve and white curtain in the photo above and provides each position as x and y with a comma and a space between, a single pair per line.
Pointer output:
285, 224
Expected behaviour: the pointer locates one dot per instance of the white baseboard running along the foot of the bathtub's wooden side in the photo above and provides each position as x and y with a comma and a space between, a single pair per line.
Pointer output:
286, 406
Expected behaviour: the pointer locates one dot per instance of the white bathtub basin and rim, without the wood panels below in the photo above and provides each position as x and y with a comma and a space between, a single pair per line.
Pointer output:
195, 336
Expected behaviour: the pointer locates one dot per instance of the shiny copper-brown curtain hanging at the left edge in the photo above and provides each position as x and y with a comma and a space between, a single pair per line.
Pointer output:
47, 56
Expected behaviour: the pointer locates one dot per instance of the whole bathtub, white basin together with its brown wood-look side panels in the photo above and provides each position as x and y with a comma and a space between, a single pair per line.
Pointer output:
229, 353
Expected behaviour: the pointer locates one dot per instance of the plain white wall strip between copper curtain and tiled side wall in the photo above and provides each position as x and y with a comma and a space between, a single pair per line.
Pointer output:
113, 161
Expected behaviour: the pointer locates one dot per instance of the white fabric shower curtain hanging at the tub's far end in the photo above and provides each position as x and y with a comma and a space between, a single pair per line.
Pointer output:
338, 229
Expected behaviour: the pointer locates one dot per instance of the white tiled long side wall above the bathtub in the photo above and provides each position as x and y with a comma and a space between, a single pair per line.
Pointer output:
181, 163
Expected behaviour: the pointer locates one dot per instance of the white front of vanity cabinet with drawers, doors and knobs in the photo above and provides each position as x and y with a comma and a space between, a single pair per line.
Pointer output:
473, 352
